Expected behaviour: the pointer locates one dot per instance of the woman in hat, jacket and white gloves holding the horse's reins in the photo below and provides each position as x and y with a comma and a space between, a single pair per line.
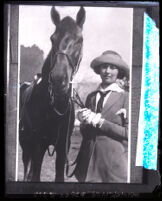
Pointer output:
104, 125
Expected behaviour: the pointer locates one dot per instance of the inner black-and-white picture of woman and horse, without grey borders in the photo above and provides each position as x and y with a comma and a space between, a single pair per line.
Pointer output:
66, 132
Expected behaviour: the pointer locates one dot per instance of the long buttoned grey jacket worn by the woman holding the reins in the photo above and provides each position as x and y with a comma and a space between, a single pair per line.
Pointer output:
103, 153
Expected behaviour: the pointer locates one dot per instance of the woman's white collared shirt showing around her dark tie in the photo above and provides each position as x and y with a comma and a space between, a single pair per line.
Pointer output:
112, 87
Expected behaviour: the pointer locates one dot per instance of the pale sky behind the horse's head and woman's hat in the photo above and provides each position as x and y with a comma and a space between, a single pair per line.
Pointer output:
105, 28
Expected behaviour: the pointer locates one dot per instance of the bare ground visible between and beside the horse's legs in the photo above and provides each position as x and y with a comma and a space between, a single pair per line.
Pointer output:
48, 166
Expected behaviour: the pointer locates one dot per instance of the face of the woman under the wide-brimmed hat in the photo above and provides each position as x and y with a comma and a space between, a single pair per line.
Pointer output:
108, 73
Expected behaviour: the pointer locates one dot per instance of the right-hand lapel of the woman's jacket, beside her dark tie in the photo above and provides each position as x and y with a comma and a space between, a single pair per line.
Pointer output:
113, 98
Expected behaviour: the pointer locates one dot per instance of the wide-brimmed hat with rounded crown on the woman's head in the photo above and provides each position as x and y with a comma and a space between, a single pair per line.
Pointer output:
109, 57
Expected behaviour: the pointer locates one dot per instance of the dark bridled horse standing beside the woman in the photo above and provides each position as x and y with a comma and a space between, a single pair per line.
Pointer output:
46, 108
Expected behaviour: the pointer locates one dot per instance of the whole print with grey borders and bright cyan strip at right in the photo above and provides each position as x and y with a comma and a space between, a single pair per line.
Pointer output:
78, 80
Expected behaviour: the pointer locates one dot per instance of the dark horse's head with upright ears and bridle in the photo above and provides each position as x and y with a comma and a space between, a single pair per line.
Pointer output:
66, 52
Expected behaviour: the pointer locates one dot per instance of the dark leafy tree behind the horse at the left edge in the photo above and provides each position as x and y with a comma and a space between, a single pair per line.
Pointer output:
31, 62
